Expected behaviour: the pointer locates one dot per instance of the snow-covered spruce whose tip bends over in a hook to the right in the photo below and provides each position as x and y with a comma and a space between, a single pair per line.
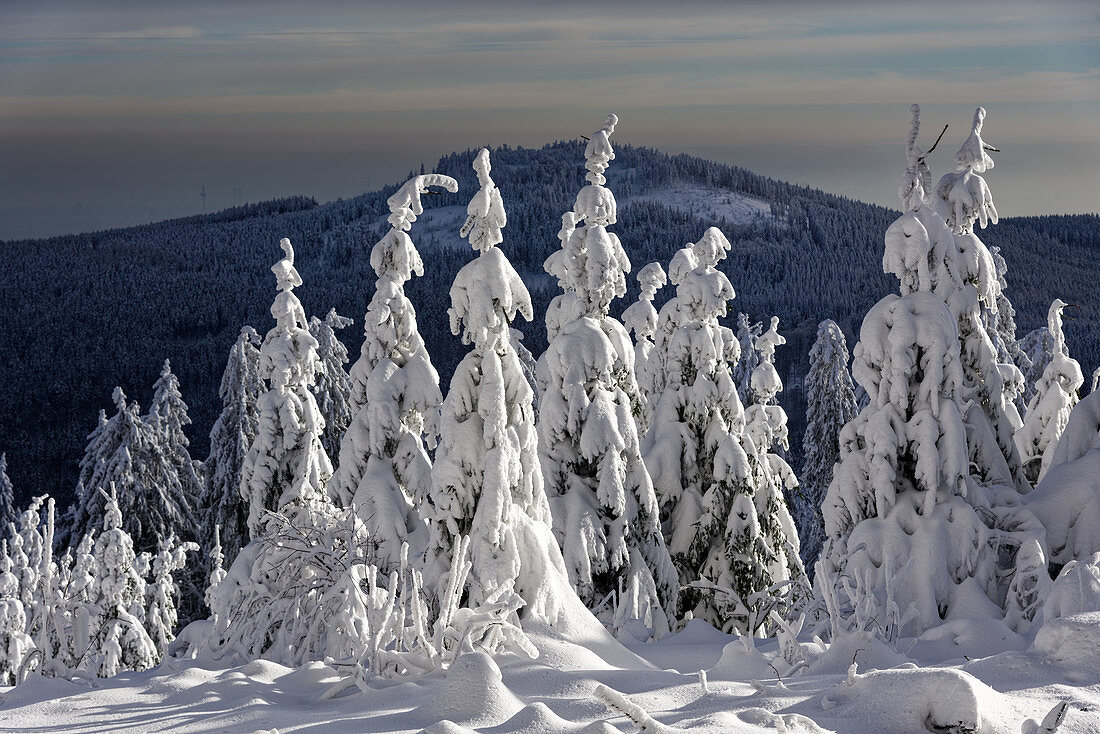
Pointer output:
395, 398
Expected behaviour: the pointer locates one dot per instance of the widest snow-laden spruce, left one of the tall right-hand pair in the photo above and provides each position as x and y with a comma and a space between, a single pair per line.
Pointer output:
921, 470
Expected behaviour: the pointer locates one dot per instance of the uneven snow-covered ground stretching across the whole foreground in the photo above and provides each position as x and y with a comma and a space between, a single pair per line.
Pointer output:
562, 693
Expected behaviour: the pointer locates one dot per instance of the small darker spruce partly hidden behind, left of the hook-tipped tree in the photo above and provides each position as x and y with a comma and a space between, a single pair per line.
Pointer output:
333, 387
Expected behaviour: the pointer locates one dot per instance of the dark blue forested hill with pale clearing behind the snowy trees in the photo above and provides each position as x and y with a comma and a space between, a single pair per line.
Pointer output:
86, 313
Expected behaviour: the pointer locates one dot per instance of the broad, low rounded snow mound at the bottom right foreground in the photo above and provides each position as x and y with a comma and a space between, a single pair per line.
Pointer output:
920, 700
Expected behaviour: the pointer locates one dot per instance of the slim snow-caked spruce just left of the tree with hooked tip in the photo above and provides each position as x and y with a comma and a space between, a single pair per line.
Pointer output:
287, 469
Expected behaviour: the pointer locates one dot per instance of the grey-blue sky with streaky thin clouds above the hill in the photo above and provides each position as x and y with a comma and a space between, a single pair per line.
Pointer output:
116, 114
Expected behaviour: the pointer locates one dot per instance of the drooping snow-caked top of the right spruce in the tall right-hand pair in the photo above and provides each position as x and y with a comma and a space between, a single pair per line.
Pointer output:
963, 198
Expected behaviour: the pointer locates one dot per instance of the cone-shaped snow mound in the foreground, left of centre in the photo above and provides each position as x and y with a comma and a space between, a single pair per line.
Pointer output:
472, 694
